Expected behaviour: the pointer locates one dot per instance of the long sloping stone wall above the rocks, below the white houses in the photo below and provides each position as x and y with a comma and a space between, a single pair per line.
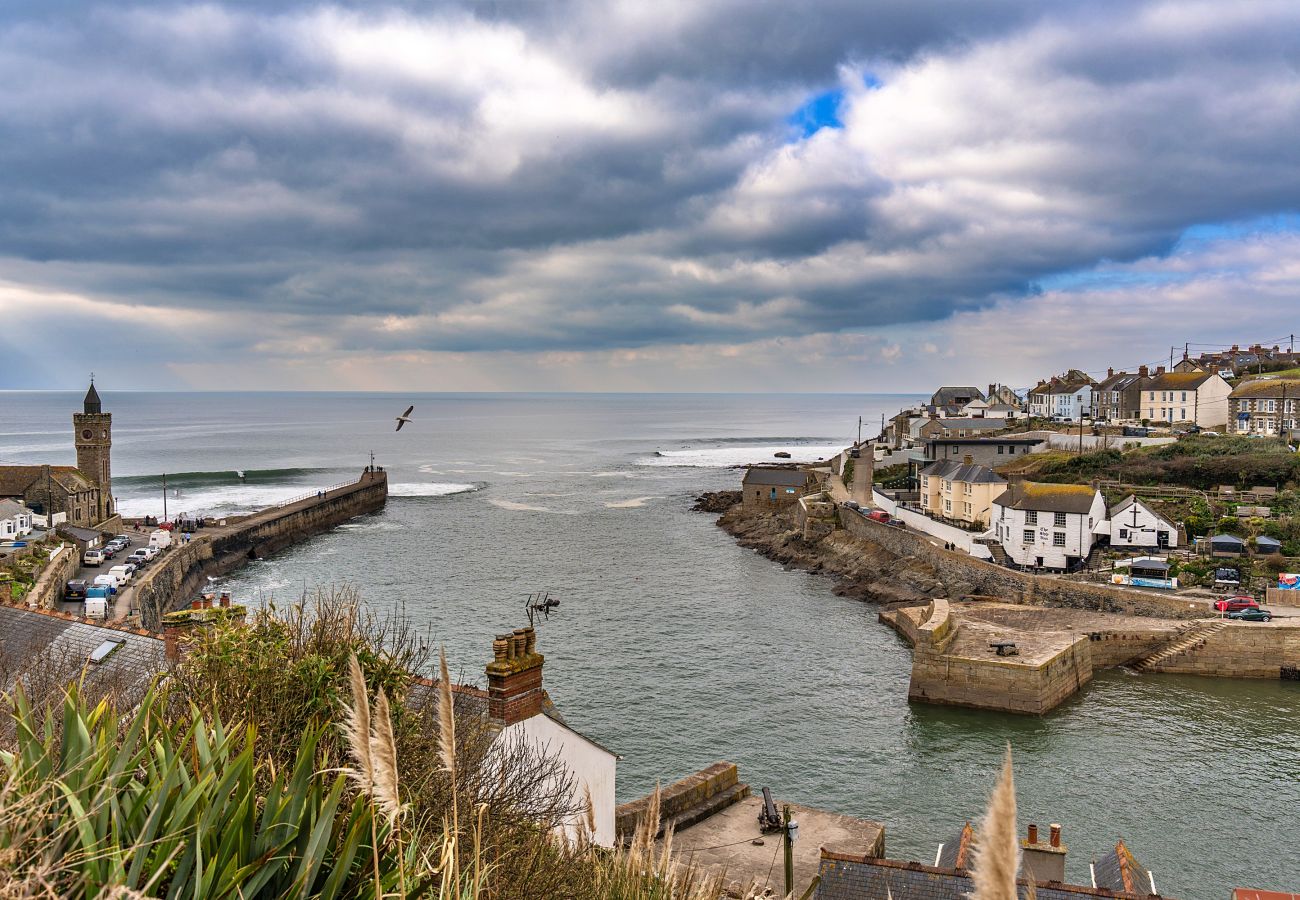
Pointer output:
964, 576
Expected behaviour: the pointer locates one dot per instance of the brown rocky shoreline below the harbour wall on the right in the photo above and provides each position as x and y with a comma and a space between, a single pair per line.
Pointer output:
860, 569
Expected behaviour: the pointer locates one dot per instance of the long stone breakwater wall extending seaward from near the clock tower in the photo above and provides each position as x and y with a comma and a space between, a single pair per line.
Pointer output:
174, 582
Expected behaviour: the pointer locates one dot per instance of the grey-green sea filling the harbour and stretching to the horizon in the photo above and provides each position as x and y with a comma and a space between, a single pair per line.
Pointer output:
677, 648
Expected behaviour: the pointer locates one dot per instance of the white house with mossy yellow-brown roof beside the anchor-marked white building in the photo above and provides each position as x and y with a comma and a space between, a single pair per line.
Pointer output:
1047, 526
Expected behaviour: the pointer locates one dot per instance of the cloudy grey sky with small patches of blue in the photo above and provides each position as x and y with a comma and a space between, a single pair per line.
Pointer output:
629, 196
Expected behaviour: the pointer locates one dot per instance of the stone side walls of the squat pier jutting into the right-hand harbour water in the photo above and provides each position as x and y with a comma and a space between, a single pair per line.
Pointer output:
1000, 683
